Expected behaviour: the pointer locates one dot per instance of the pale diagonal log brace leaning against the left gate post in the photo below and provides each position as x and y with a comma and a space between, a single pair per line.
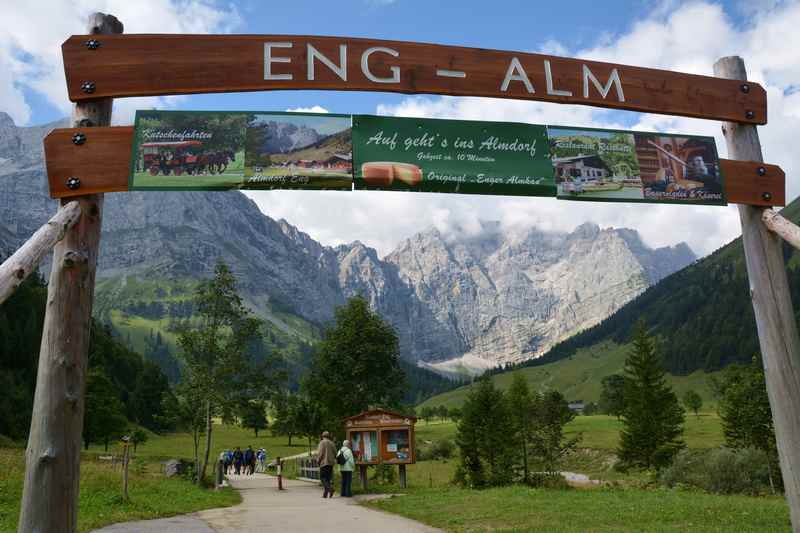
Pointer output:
25, 260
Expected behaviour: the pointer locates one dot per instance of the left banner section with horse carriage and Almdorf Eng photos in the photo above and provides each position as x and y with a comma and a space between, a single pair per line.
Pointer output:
210, 150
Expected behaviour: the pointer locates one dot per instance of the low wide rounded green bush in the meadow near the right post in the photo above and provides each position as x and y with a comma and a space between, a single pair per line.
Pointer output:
721, 471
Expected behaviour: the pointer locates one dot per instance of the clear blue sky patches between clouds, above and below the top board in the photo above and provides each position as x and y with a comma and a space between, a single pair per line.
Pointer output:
500, 24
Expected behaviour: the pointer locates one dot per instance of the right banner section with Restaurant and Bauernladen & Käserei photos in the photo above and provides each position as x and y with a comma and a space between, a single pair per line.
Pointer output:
609, 165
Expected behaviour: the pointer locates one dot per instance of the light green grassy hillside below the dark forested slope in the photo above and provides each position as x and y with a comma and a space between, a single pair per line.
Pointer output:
578, 377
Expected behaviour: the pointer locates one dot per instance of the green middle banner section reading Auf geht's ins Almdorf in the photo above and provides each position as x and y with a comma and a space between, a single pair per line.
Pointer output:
455, 156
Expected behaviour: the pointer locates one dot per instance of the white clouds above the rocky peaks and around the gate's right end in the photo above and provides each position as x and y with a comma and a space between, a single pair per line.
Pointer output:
688, 38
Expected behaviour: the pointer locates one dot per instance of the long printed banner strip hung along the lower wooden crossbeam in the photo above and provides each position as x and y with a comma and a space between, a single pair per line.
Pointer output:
209, 150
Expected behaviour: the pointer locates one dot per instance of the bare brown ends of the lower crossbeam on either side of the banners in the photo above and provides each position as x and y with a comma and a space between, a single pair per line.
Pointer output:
102, 164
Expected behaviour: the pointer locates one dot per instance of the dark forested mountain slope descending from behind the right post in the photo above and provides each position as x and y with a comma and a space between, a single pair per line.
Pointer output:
702, 313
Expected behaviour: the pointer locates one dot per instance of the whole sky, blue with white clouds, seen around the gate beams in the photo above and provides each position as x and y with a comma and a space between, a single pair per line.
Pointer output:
681, 35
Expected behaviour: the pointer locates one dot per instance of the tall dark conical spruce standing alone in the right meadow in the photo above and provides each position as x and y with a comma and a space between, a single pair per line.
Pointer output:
652, 417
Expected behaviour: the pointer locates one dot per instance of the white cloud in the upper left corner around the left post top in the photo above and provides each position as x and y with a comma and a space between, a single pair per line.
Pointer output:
31, 34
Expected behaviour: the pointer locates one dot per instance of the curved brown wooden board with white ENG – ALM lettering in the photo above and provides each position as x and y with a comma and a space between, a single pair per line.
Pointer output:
143, 65
